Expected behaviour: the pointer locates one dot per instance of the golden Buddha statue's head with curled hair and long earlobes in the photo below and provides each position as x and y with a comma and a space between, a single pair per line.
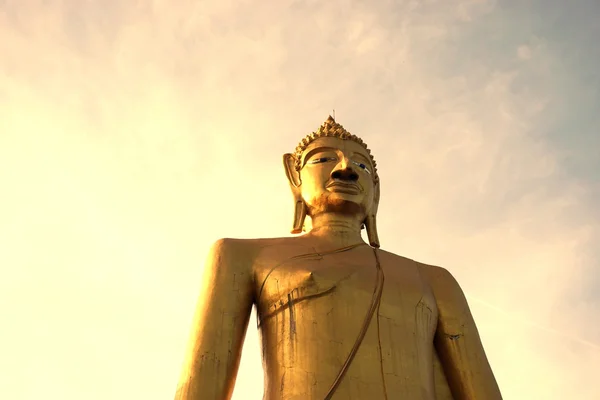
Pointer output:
332, 170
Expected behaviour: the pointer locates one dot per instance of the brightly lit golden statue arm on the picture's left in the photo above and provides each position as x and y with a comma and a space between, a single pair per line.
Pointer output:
219, 326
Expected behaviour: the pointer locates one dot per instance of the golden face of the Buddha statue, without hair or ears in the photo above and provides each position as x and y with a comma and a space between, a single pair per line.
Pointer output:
337, 176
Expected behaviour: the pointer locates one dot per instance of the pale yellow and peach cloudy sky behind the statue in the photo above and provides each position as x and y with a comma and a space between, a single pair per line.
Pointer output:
134, 134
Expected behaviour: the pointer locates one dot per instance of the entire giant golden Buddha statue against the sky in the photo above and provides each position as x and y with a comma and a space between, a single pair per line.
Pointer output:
338, 318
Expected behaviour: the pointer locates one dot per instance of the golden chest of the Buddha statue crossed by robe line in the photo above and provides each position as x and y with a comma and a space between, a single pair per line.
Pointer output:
312, 308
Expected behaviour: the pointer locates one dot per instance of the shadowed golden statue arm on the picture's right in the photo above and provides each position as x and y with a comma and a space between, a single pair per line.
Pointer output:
457, 342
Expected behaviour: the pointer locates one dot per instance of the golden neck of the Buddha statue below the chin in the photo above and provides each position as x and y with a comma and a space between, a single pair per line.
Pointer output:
337, 230
